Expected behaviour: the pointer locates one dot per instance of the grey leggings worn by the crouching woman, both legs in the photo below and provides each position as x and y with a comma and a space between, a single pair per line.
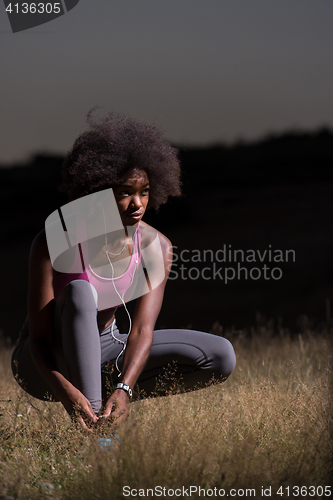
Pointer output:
83, 353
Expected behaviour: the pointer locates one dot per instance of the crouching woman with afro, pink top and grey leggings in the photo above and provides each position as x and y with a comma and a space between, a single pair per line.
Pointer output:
70, 335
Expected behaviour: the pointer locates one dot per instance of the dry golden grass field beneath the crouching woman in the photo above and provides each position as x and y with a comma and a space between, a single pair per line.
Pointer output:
268, 425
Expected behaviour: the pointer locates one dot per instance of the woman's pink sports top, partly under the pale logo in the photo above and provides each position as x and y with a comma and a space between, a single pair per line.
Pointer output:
108, 289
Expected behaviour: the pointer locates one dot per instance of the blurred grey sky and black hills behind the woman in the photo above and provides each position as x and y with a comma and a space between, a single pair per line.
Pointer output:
242, 89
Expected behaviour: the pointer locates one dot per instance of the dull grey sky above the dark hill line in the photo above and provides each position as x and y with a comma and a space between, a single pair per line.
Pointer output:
203, 70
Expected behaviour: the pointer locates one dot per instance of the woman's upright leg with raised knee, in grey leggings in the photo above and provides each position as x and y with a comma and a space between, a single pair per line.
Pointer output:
76, 343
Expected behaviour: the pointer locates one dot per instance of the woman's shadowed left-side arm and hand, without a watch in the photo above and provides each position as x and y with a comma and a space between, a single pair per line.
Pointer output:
40, 312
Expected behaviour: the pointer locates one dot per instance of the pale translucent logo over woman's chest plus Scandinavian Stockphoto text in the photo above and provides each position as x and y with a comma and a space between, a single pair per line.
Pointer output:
87, 240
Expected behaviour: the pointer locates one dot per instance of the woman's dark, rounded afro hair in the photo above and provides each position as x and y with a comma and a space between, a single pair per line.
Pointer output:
101, 156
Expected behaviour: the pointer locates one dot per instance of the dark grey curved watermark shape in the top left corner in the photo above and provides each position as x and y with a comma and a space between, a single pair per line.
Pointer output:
24, 15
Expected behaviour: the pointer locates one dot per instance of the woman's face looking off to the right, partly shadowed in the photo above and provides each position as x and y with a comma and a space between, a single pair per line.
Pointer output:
132, 196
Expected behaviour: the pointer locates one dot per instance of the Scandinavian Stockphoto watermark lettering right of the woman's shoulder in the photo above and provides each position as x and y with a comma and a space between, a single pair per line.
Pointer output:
228, 263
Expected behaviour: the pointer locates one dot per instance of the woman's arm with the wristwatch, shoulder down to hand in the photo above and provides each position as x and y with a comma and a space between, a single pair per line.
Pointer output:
139, 342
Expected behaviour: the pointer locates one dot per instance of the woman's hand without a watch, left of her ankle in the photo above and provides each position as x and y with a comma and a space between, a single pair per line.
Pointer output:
77, 406
